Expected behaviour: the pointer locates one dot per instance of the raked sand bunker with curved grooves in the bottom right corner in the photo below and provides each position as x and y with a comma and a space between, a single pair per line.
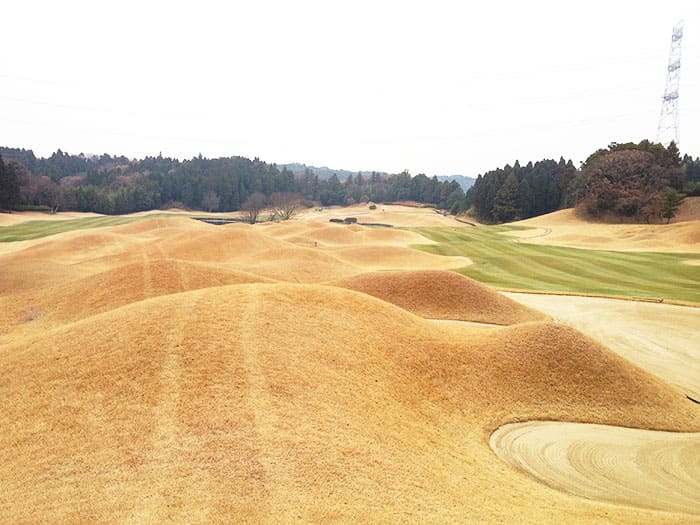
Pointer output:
645, 468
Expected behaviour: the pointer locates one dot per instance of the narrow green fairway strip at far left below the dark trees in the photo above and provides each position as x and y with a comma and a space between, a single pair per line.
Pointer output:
34, 229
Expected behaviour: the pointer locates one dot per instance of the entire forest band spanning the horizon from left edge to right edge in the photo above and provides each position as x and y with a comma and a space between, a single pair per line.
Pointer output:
641, 182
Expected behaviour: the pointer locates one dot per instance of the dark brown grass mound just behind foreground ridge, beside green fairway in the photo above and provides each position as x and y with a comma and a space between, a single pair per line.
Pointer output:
436, 294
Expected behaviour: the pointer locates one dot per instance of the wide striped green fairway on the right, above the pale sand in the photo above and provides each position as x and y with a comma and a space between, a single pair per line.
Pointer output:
502, 262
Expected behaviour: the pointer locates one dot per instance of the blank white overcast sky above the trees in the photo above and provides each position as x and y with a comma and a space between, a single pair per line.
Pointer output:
439, 87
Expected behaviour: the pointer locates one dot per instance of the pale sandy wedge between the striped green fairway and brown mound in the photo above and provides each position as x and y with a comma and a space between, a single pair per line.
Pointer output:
662, 339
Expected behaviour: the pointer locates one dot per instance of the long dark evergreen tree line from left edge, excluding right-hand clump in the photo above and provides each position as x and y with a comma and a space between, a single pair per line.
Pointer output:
115, 184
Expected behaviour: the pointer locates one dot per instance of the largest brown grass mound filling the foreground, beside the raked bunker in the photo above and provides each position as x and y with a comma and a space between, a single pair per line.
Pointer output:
244, 402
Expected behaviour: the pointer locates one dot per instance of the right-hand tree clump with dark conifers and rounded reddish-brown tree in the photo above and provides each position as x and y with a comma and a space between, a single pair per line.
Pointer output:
641, 182
